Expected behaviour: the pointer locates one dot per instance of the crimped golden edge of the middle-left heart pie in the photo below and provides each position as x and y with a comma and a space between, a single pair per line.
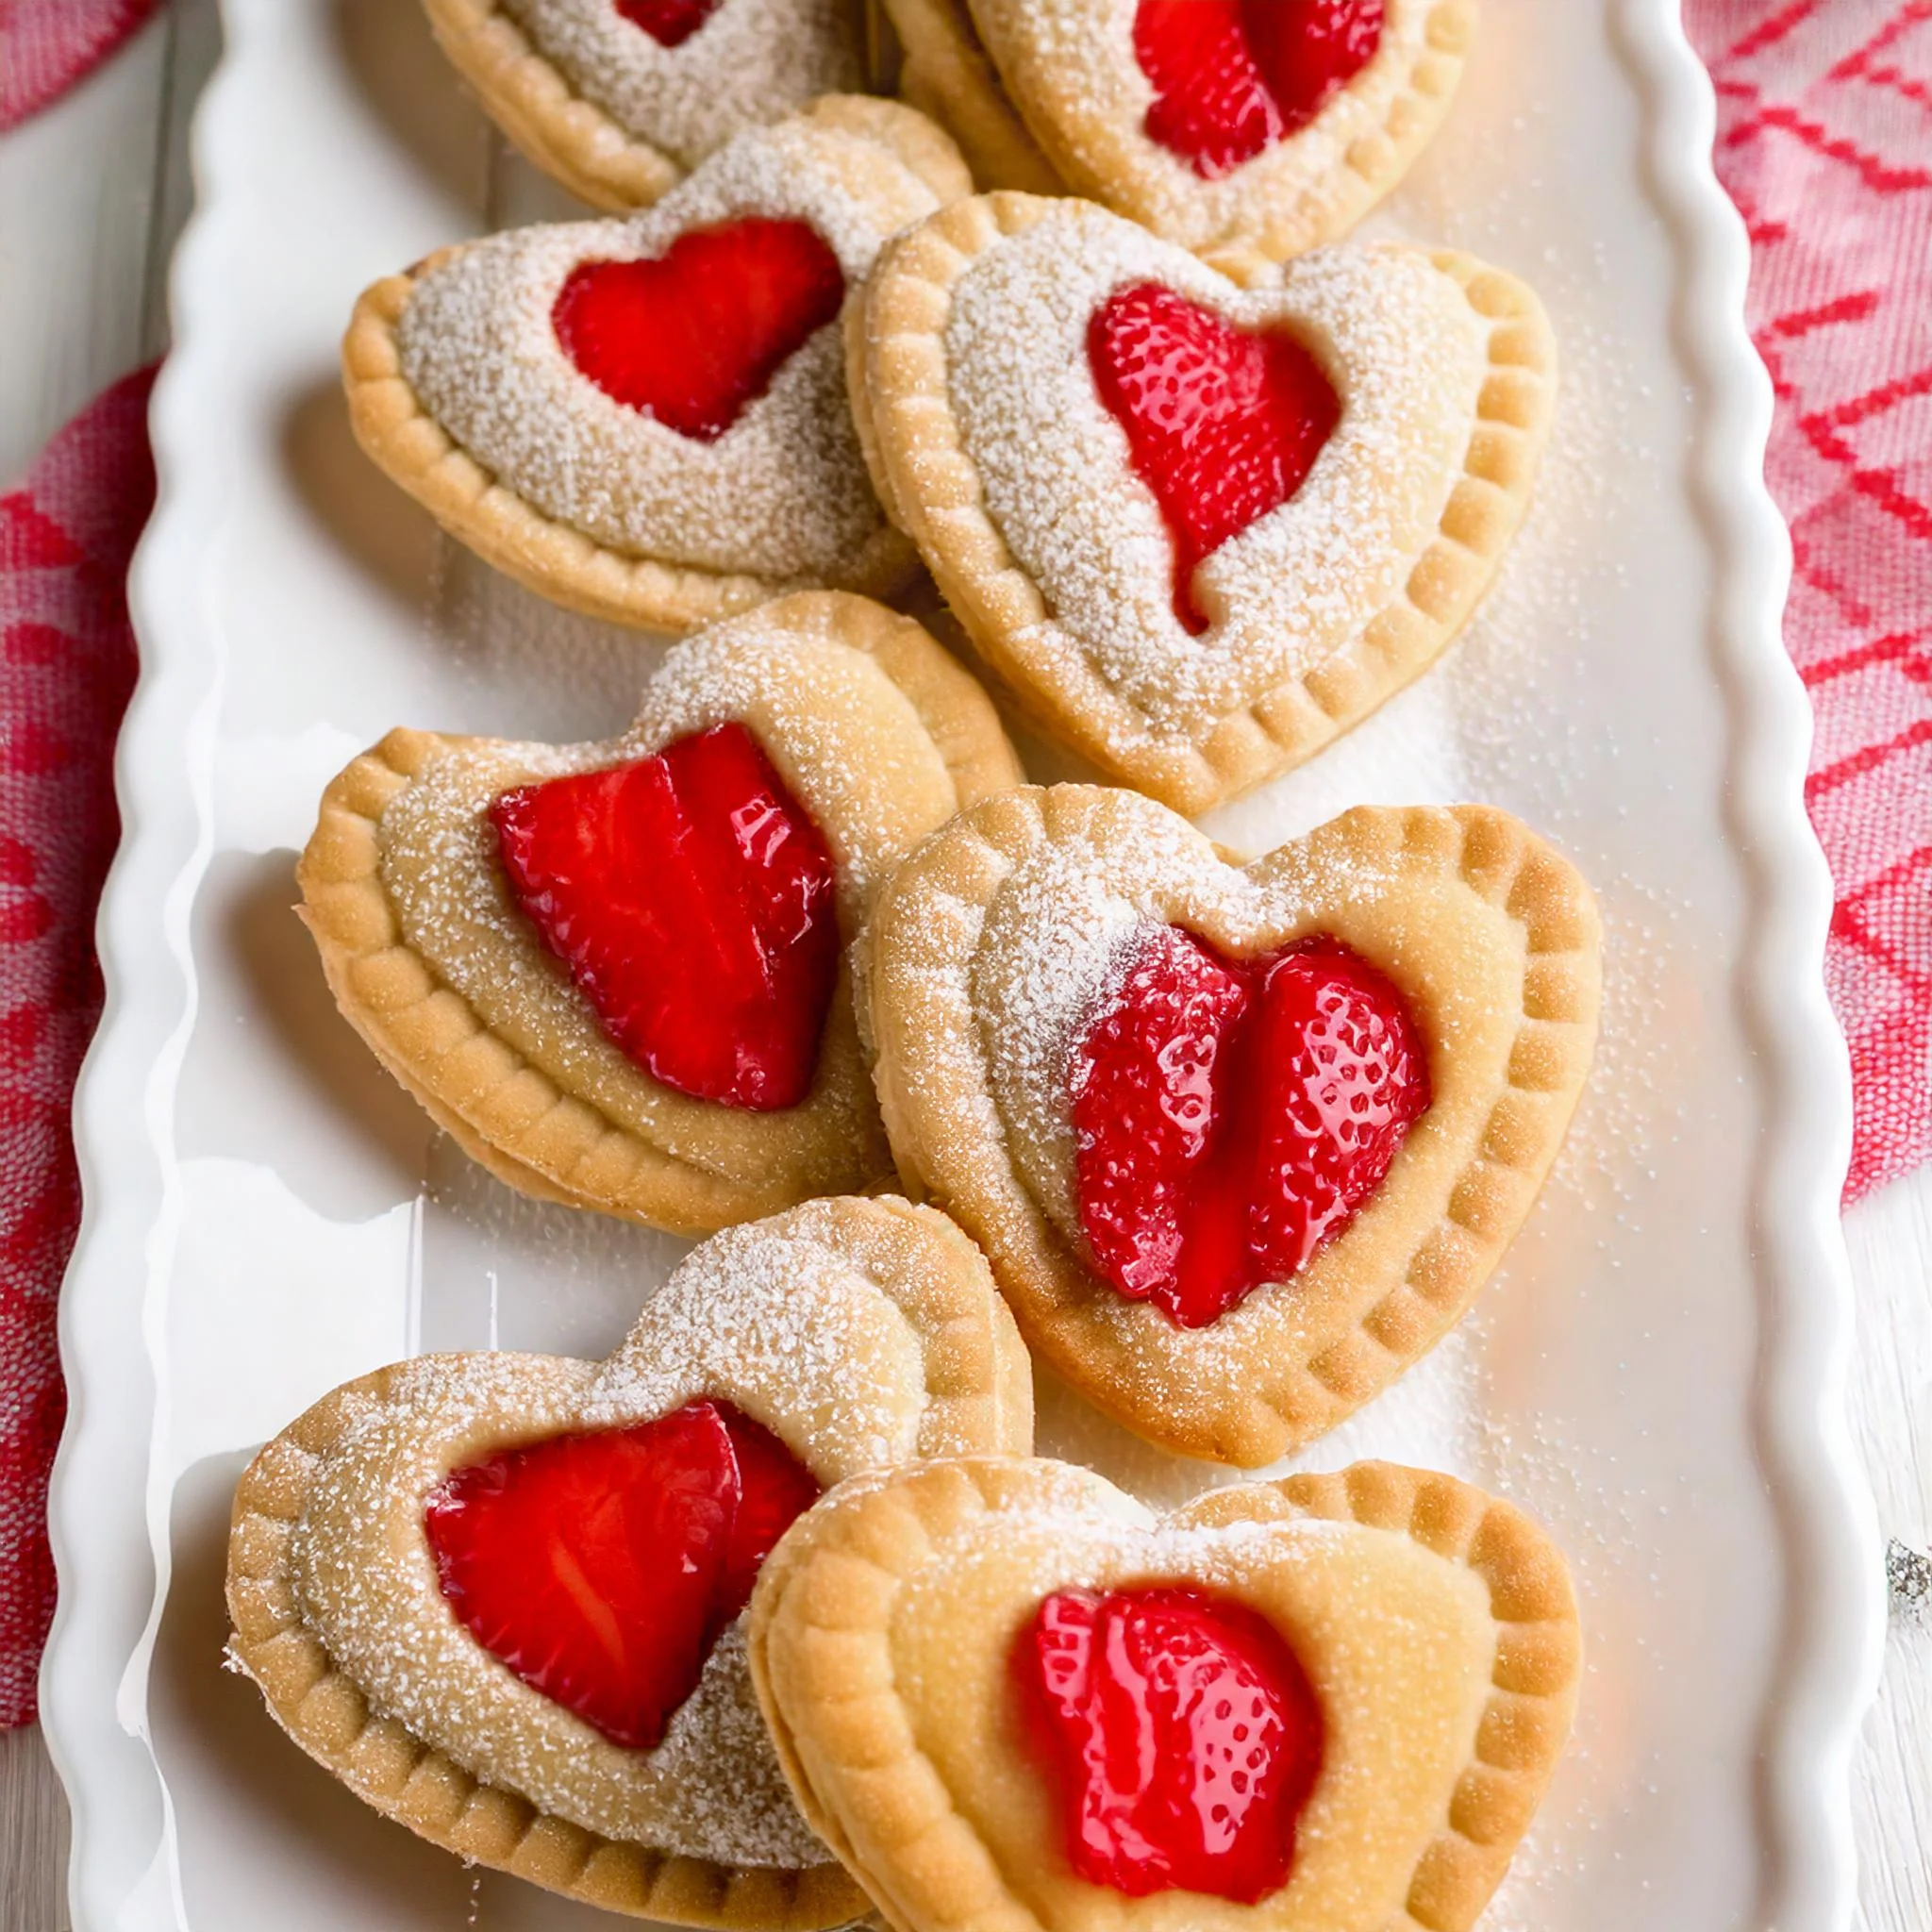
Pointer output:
544, 1139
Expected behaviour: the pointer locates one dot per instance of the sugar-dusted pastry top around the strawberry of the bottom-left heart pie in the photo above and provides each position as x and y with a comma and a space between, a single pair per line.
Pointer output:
781, 1319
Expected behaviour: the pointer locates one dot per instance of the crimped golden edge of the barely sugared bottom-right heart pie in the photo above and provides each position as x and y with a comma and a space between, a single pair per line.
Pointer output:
876, 1535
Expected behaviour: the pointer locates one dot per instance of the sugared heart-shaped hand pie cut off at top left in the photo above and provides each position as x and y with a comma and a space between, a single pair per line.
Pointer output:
619, 99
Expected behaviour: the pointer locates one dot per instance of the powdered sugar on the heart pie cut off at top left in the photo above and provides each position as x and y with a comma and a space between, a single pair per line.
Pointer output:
753, 61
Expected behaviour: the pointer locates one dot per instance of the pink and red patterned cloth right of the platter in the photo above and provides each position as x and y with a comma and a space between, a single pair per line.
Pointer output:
1827, 146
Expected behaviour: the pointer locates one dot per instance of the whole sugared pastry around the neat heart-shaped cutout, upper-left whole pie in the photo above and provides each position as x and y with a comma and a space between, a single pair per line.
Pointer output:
463, 391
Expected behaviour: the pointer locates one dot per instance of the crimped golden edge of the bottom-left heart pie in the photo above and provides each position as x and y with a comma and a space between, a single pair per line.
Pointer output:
422, 1788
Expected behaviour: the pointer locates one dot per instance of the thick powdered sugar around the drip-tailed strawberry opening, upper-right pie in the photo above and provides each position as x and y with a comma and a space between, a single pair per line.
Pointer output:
1407, 358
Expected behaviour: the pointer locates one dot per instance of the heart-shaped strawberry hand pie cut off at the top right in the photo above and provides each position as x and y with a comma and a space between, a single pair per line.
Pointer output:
1272, 125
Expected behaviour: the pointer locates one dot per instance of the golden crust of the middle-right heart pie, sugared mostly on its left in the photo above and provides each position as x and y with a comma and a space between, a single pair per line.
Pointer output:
980, 980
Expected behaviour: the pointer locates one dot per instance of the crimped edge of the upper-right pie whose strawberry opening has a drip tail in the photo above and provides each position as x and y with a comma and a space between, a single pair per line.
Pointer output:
932, 488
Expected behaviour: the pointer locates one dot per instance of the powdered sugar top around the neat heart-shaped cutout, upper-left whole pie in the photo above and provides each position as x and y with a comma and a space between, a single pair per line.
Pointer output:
783, 494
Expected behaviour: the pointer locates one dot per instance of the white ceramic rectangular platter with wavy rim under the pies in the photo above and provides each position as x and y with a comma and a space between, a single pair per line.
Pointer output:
1657, 1371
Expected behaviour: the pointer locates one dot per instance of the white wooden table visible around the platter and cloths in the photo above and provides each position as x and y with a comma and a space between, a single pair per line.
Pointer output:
92, 196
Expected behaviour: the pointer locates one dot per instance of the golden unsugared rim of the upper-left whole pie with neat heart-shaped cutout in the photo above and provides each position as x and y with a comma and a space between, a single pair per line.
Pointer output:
917, 169
